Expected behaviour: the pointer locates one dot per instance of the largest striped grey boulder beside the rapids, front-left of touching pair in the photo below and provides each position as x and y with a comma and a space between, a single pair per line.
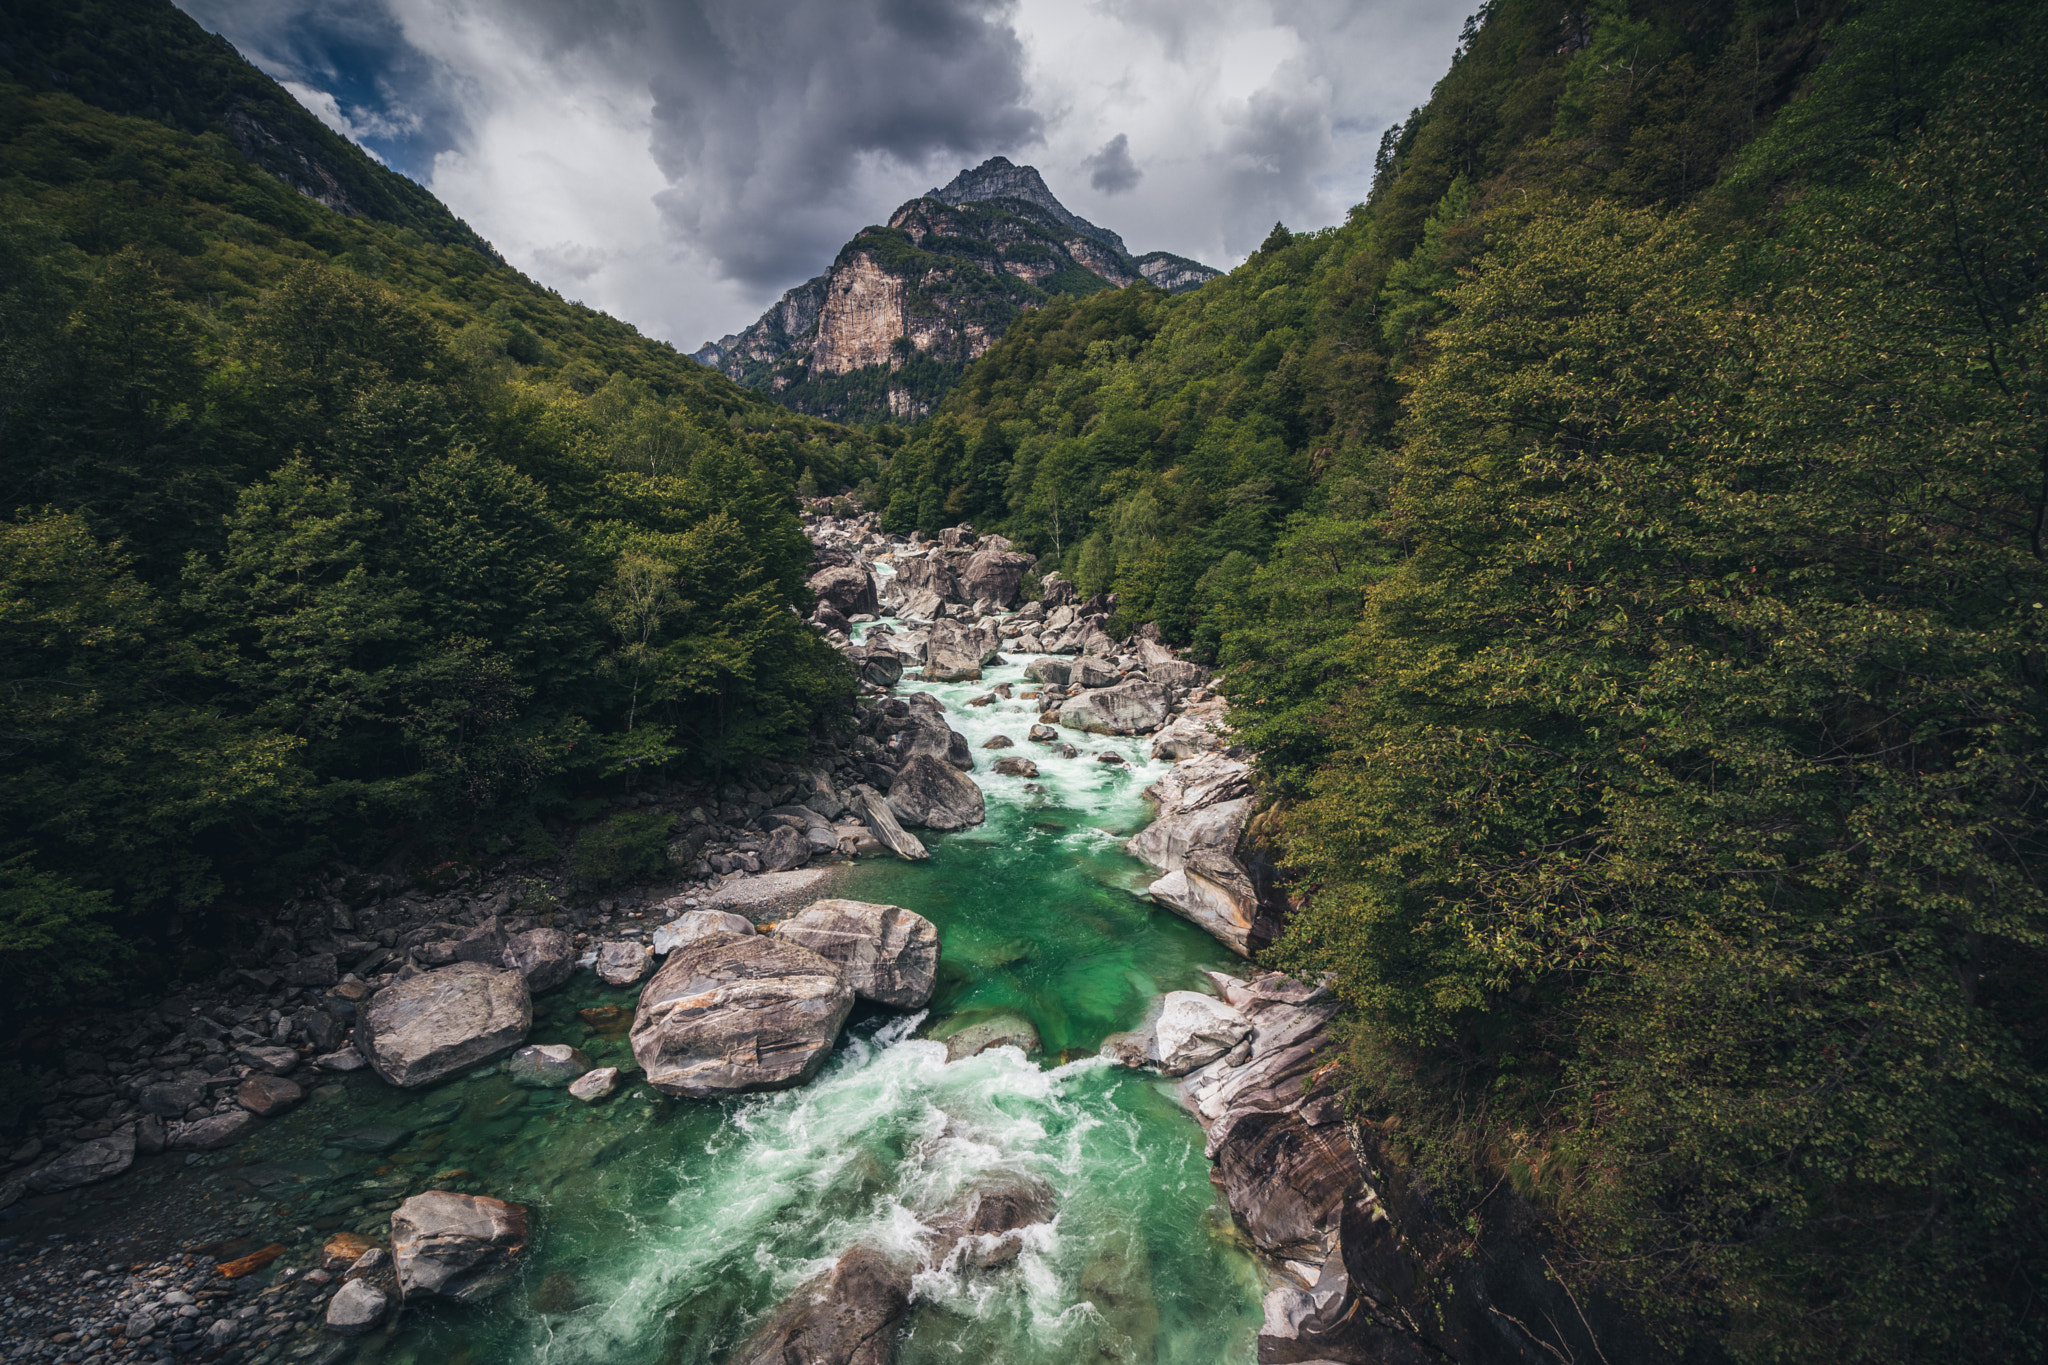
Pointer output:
738, 1014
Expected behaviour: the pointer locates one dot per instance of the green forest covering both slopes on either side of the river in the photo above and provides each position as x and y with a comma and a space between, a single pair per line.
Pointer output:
1623, 541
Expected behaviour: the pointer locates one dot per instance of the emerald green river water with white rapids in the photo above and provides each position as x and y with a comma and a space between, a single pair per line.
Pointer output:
669, 1229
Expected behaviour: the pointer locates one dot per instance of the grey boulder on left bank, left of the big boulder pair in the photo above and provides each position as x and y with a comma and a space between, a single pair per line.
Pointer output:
417, 1032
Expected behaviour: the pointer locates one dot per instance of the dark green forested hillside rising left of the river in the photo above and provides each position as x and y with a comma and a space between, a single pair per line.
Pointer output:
327, 535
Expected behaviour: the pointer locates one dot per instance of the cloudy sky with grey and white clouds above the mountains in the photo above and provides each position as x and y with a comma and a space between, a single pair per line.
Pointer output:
683, 163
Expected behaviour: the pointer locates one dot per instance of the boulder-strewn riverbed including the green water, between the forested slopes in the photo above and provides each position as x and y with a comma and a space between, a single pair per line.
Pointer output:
851, 1077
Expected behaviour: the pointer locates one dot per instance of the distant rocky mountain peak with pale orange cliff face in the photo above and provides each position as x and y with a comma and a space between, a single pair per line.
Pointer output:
908, 306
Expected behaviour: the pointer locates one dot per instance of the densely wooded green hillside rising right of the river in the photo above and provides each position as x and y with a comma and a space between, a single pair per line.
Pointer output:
1623, 539
